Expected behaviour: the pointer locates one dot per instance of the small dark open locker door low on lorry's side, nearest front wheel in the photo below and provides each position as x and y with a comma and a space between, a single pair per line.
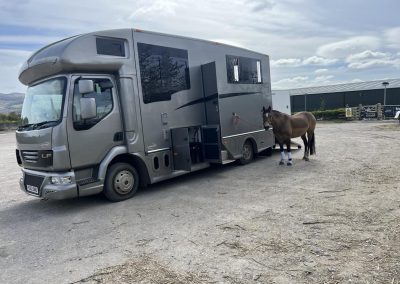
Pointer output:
180, 149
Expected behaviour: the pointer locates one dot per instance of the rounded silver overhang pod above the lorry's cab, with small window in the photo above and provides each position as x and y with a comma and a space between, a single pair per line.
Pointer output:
100, 52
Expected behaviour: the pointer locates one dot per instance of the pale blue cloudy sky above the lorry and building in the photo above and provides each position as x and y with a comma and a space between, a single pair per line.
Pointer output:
310, 42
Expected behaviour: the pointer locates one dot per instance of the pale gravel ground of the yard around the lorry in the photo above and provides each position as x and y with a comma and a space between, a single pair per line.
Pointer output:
334, 219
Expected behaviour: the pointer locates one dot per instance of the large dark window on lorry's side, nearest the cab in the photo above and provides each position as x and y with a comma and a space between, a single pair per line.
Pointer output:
163, 70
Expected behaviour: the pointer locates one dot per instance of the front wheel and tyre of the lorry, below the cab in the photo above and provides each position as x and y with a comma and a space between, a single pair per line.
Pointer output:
122, 182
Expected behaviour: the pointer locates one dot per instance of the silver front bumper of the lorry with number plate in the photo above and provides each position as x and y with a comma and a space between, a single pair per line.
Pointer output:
44, 187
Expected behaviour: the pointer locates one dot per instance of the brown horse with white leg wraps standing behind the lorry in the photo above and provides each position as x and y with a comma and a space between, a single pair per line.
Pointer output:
286, 127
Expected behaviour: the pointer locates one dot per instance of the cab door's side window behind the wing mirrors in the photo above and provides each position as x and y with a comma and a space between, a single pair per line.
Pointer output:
104, 103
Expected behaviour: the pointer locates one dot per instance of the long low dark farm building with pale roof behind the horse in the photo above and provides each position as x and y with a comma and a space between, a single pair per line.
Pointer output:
386, 92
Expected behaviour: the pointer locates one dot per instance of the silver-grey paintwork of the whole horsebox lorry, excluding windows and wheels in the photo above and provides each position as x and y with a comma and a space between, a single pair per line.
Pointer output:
146, 128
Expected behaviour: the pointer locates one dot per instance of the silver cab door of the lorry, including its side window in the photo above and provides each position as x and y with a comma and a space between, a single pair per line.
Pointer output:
91, 139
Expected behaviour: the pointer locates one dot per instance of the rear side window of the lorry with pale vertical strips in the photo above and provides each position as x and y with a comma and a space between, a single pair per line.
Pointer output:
243, 70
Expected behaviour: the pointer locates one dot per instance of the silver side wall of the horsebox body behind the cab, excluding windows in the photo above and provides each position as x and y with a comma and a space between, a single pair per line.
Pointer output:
204, 103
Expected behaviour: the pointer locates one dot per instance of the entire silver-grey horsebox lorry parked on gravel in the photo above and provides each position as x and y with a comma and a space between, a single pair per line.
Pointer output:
114, 110
